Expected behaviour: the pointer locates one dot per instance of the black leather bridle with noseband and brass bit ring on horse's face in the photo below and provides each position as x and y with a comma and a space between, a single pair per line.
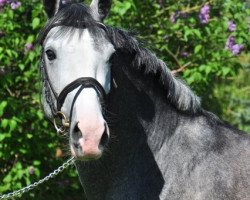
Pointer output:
83, 82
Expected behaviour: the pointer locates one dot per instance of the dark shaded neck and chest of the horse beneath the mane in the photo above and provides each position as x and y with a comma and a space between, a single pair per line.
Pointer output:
140, 120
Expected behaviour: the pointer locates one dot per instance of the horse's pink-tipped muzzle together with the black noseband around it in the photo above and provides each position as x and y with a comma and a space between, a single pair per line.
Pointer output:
89, 133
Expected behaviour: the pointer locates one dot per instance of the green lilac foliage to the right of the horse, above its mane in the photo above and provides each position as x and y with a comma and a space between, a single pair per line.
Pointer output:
194, 51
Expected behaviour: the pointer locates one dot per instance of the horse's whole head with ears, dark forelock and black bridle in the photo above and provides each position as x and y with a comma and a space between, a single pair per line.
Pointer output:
76, 73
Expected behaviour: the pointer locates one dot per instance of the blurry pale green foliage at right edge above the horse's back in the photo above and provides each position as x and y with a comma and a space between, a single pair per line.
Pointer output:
234, 95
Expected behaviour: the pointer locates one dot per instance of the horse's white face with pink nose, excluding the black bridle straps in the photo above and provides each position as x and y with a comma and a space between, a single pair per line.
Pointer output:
68, 58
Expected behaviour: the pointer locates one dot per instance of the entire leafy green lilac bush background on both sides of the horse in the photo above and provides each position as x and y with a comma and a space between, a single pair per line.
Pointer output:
195, 51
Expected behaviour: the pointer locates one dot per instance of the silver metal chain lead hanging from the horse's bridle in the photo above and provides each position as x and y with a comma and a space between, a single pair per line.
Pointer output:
19, 193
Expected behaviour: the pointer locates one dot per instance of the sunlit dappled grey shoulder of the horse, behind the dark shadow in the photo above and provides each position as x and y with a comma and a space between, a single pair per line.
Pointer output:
208, 161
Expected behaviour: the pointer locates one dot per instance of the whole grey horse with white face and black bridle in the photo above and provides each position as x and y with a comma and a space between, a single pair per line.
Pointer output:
136, 131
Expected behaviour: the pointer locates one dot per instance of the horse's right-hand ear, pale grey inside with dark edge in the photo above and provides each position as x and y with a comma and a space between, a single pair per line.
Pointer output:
100, 9
